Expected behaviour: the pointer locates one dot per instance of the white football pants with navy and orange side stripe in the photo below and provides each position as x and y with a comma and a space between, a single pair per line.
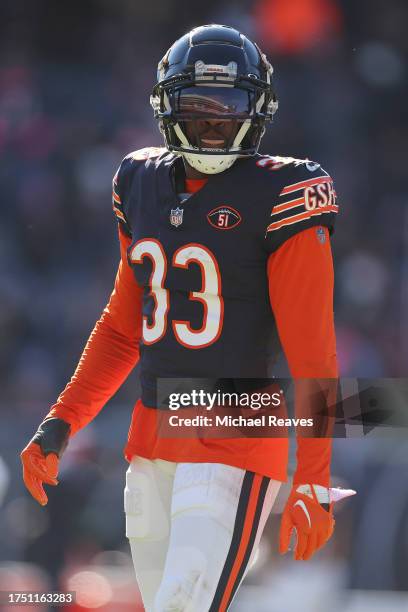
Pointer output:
193, 530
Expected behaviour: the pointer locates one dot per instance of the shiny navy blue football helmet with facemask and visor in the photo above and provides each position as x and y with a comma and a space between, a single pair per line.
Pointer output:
213, 73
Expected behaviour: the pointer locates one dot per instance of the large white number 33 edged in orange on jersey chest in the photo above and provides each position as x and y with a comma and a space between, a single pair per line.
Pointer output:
209, 295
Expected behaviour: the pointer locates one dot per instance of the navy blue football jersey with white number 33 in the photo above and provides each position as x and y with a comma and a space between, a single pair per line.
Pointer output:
202, 263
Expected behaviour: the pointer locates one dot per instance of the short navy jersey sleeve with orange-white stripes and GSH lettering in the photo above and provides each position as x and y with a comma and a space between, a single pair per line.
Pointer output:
307, 198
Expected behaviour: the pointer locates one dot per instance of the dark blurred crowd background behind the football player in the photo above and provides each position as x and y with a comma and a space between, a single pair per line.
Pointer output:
75, 80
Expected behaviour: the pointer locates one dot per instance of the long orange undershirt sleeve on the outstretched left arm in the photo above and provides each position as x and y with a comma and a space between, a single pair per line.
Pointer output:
110, 354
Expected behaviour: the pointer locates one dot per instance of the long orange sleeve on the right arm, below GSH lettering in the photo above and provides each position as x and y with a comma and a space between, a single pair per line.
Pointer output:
301, 281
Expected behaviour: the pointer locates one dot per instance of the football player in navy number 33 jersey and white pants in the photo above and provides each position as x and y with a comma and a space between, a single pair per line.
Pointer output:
220, 248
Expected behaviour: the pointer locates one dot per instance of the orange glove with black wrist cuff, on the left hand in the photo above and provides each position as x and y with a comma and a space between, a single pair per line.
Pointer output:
40, 458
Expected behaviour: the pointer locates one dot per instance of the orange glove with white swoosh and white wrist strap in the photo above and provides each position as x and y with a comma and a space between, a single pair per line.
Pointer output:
309, 510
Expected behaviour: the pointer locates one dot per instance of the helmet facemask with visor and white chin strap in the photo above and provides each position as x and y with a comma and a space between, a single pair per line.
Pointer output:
233, 109
